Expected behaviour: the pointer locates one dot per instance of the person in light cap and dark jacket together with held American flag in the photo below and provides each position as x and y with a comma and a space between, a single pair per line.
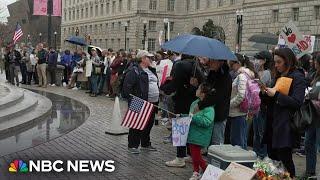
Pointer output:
141, 89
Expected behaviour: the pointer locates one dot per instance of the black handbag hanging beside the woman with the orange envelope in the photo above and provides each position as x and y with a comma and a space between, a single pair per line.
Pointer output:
302, 118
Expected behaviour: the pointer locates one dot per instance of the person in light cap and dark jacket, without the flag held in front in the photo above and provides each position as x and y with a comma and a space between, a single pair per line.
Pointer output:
139, 81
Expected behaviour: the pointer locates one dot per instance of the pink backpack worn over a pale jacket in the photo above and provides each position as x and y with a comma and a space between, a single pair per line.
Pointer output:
252, 101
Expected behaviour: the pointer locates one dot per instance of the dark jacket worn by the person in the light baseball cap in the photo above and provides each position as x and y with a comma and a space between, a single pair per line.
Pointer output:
136, 82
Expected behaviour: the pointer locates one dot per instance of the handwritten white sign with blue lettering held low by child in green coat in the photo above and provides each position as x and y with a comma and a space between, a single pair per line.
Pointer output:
180, 130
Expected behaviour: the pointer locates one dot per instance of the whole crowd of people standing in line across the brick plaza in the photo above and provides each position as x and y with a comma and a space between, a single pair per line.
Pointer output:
210, 90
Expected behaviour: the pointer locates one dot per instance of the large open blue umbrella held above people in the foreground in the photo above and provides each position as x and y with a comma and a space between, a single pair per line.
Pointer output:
199, 46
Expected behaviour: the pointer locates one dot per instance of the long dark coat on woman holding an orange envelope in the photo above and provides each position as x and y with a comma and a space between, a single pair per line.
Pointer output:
280, 110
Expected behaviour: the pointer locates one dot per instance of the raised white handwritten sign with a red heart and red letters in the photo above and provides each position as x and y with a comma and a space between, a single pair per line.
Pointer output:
295, 40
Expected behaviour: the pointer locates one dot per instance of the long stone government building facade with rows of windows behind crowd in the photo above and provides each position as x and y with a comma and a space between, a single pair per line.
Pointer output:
125, 24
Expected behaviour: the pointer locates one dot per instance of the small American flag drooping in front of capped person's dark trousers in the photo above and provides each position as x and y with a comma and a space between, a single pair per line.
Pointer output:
138, 114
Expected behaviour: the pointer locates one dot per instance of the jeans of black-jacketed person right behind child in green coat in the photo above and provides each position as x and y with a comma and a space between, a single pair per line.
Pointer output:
218, 132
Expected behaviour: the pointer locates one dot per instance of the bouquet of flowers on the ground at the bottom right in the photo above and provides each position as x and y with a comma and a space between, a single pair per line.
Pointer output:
270, 170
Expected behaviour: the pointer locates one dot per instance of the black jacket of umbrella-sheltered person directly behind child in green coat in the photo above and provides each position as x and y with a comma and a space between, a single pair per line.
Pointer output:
222, 83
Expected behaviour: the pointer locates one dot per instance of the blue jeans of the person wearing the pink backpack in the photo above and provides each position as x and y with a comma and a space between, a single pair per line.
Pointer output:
238, 132
